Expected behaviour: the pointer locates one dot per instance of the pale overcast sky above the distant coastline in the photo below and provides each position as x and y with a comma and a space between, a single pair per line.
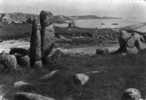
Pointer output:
126, 8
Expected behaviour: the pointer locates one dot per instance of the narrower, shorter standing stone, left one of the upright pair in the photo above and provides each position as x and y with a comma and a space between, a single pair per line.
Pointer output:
35, 46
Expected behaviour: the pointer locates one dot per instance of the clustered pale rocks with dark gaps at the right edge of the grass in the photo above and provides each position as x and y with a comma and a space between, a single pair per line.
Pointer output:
130, 42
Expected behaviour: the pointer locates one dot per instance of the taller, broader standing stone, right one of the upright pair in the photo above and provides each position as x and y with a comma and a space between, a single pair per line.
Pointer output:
47, 33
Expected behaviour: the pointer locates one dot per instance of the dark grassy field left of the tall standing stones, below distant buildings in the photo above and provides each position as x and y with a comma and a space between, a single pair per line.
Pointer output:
14, 31
